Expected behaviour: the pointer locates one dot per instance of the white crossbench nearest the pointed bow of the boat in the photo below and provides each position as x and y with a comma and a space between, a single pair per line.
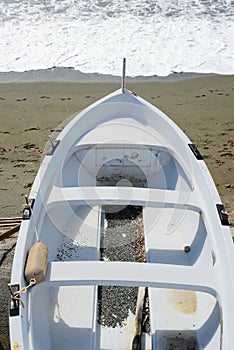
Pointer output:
123, 196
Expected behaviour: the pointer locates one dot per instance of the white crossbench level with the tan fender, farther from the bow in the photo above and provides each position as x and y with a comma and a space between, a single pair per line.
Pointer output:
133, 274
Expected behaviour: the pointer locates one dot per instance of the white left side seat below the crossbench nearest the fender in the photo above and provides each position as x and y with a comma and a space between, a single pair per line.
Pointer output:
74, 308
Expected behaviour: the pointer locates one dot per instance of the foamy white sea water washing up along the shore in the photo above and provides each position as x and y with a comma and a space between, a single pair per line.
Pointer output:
157, 37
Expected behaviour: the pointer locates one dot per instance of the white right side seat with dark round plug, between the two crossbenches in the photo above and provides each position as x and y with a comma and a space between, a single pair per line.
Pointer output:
168, 232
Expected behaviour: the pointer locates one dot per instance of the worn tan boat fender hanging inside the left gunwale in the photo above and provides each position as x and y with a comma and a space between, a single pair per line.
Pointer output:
36, 263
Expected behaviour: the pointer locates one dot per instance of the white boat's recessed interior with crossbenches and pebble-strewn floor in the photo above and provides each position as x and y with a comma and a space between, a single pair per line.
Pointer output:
105, 200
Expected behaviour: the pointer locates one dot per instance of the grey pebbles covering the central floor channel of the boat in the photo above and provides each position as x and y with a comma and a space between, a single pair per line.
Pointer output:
120, 299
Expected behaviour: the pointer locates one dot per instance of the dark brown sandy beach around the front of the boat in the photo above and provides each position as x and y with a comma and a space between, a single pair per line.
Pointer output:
202, 106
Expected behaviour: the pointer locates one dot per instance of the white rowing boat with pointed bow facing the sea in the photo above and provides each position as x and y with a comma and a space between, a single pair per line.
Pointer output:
123, 152
